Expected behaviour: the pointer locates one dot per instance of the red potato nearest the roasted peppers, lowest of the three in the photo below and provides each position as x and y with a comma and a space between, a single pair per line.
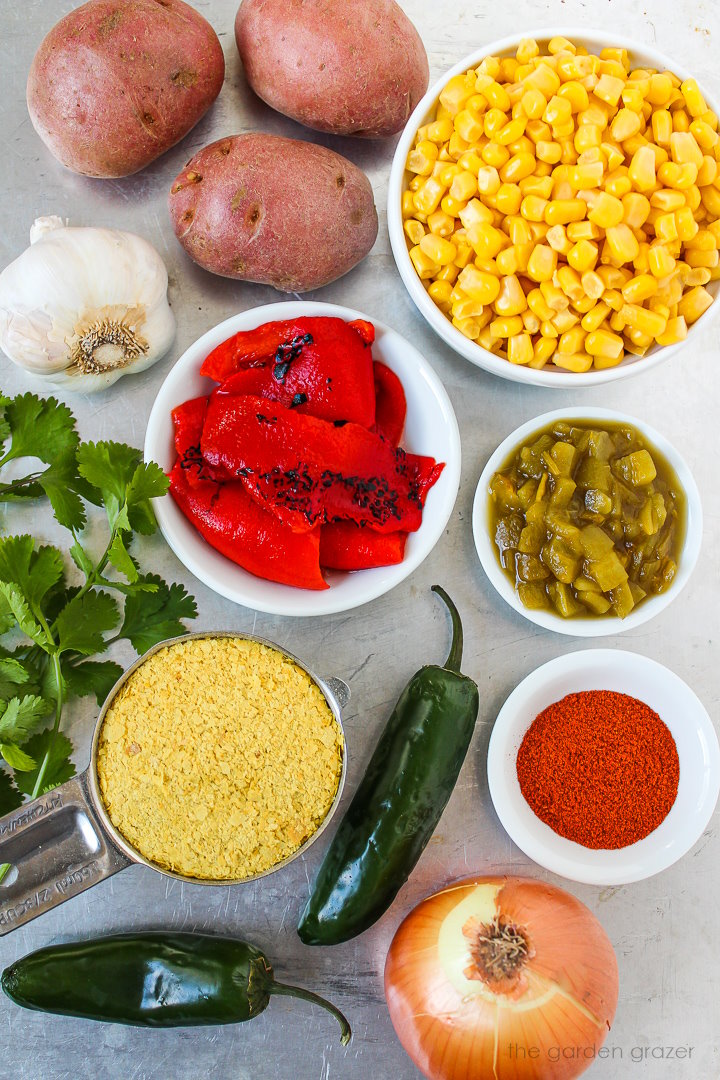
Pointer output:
261, 208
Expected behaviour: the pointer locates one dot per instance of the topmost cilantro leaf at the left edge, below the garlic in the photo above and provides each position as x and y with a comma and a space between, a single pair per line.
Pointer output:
40, 428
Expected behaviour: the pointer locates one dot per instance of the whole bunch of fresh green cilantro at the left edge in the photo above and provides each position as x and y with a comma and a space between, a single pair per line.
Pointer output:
56, 626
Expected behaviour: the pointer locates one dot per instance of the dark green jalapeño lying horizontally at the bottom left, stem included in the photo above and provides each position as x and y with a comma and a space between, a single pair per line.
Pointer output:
153, 980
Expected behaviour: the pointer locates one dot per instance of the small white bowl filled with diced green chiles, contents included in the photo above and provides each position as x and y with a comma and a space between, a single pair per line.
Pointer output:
588, 522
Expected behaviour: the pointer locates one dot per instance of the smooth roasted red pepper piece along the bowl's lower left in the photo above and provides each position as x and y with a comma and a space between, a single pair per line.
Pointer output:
234, 523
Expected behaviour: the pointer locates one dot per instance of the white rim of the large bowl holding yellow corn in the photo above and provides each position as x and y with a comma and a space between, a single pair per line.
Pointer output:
471, 350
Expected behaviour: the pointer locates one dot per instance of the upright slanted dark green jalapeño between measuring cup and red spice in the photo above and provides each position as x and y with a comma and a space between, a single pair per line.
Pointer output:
399, 803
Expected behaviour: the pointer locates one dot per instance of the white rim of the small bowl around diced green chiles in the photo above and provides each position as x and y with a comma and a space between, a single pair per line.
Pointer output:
600, 627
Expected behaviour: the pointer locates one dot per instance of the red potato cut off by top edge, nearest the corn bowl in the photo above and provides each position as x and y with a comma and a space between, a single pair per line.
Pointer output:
349, 67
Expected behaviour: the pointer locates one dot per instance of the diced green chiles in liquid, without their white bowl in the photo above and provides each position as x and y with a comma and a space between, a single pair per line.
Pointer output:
582, 503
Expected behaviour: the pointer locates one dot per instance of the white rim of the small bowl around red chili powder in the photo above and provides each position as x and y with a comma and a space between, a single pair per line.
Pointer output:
565, 862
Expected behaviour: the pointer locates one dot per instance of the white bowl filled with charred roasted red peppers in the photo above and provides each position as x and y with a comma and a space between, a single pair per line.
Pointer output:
296, 466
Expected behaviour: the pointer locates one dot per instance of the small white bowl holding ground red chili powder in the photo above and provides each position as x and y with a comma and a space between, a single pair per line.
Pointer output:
604, 767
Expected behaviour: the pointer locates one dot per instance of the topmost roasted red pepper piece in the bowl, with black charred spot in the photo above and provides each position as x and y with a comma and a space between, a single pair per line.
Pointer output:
319, 366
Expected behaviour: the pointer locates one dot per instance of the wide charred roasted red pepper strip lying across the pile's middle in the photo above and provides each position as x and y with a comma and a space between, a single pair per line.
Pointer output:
309, 471
